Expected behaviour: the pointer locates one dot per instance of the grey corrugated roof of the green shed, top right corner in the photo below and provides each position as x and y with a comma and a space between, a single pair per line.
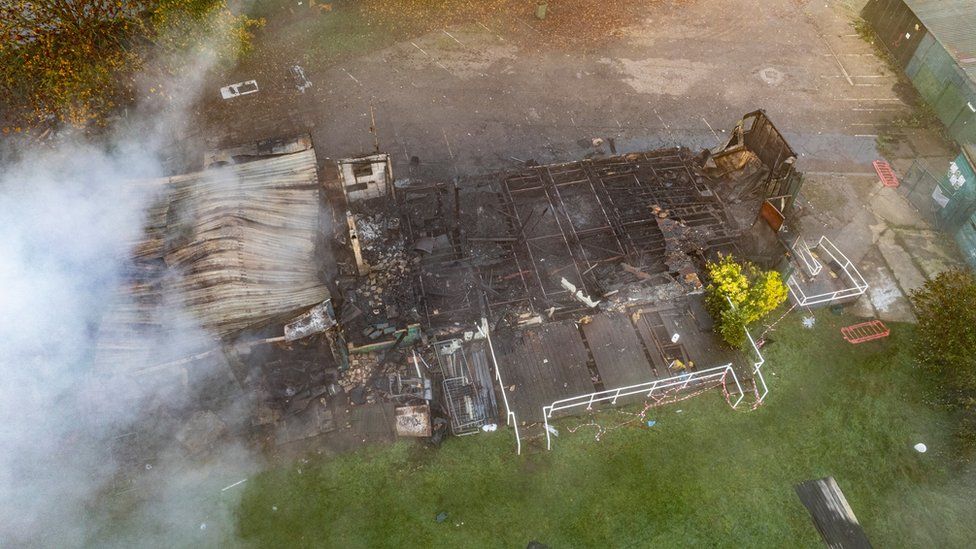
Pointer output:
953, 24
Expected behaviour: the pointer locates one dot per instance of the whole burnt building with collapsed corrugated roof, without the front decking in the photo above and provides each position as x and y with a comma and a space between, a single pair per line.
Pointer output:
374, 321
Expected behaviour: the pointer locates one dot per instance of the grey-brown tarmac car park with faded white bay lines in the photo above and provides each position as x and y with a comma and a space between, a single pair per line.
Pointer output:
492, 94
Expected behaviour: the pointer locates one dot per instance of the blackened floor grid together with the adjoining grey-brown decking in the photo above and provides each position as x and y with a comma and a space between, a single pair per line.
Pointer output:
534, 245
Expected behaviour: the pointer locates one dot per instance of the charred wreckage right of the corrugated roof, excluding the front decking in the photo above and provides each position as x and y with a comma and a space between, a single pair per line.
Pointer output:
426, 270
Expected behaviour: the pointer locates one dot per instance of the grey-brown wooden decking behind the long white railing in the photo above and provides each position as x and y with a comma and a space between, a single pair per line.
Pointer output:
550, 362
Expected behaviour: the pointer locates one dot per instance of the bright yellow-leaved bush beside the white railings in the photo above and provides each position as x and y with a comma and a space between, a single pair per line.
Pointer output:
739, 294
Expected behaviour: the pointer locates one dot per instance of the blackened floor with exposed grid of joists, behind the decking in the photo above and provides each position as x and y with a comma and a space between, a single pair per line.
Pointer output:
504, 242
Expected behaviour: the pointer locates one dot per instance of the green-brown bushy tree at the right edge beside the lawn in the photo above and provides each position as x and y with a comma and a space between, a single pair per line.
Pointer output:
945, 343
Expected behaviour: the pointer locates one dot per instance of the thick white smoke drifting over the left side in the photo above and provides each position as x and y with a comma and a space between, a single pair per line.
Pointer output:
68, 219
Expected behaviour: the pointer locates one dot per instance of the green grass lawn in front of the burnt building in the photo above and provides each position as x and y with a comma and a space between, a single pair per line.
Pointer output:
706, 476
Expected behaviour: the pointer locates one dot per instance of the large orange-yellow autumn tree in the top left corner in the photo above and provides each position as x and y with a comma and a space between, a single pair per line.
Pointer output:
73, 61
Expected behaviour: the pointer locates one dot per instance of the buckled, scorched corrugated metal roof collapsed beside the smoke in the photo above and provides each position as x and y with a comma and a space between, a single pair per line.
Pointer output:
223, 249
